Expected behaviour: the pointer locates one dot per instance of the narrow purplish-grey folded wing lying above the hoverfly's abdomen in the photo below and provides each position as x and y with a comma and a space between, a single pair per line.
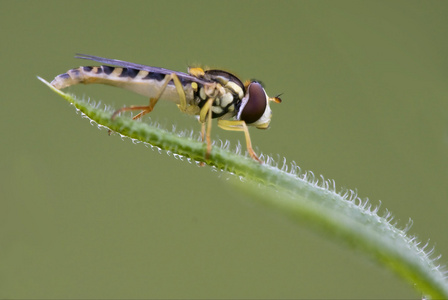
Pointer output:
126, 64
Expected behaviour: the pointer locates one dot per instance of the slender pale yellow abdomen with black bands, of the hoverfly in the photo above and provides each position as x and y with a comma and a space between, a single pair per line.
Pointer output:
141, 82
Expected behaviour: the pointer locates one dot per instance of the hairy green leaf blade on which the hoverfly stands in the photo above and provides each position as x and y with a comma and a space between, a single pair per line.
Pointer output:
299, 196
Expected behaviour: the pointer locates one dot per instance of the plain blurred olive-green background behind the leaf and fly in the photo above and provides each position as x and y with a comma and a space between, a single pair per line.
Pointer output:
86, 215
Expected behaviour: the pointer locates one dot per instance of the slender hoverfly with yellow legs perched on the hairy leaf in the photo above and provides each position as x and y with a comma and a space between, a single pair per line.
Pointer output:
207, 94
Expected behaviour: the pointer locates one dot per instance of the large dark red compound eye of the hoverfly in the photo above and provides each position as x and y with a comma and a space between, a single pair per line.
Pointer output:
256, 104
